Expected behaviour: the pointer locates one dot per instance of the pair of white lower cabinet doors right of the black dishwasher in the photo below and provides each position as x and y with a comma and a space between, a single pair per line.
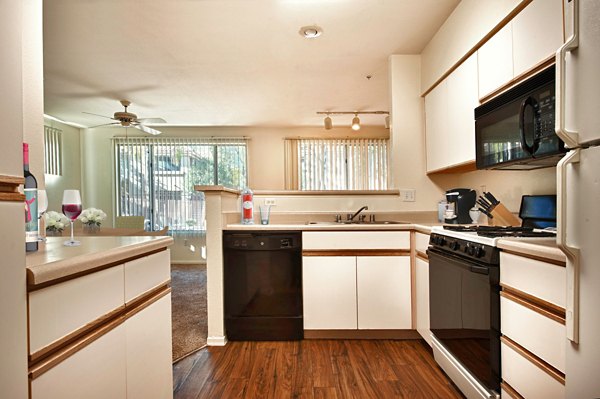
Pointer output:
356, 292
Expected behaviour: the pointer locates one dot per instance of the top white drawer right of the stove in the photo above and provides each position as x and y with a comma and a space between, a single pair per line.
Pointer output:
546, 281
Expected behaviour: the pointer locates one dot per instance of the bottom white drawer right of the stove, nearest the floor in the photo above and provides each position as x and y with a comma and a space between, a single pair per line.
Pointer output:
527, 378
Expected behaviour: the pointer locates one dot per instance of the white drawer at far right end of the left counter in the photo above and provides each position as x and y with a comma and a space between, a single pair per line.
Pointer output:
142, 275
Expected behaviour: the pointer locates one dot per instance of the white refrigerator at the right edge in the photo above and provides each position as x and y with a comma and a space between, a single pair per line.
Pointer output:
578, 192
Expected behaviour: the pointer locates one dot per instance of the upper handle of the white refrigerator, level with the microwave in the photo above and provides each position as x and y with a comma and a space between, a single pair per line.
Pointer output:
570, 138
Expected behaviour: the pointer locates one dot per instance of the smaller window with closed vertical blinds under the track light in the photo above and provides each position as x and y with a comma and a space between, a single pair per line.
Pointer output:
337, 164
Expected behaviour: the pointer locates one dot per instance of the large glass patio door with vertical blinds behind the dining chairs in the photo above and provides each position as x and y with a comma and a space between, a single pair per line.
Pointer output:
155, 178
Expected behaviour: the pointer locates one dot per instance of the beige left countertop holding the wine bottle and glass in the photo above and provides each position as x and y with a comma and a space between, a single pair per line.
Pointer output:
53, 261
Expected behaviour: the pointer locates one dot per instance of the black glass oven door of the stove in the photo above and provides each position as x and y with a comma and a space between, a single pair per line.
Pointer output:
465, 313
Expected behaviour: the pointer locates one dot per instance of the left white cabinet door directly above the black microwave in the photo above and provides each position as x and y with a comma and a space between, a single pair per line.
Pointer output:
494, 61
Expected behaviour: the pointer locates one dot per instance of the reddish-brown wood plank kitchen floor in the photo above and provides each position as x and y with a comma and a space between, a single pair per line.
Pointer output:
313, 369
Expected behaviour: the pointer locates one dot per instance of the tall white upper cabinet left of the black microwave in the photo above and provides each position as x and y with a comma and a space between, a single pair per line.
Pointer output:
450, 126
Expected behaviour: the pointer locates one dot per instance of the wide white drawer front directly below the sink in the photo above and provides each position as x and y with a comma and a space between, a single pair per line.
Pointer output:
356, 240
